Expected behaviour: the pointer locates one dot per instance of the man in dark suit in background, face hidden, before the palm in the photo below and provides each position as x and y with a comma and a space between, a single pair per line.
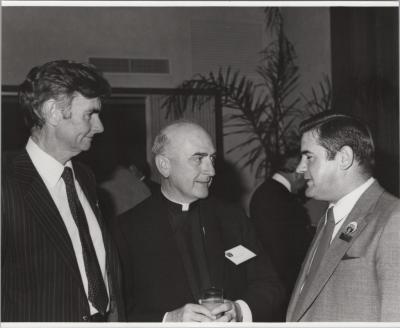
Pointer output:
282, 224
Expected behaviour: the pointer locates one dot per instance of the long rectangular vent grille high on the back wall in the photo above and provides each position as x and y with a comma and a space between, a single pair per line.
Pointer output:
135, 65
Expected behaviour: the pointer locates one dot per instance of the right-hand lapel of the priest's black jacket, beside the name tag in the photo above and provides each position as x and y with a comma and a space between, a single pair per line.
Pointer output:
214, 249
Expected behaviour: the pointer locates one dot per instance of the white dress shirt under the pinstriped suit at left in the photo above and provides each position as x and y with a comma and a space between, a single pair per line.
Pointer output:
50, 170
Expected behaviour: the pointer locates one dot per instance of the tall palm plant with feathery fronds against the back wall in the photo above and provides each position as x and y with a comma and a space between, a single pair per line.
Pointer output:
264, 113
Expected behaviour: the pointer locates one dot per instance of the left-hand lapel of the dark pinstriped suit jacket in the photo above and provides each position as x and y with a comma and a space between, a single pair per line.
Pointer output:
44, 210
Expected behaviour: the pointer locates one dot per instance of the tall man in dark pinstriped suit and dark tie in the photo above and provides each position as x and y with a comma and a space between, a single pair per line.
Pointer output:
58, 263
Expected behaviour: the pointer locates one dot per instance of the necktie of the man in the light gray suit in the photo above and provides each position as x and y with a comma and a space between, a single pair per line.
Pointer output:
322, 247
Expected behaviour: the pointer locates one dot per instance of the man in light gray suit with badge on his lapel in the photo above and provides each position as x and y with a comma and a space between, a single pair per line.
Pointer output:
352, 269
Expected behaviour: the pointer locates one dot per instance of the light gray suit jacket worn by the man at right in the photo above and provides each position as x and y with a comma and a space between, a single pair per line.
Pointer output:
359, 277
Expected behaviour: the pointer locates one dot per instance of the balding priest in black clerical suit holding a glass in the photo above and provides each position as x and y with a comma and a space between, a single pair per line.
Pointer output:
179, 242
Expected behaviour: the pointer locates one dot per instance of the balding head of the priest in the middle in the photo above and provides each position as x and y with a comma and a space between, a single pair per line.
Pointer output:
184, 156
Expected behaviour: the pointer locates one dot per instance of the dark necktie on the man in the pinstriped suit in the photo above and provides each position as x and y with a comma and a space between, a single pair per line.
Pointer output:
96, 286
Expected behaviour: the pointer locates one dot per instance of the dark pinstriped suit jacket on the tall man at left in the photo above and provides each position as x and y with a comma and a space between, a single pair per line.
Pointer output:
40, 279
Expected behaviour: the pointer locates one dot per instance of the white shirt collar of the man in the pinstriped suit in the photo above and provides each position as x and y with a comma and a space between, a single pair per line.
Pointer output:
48, 167
